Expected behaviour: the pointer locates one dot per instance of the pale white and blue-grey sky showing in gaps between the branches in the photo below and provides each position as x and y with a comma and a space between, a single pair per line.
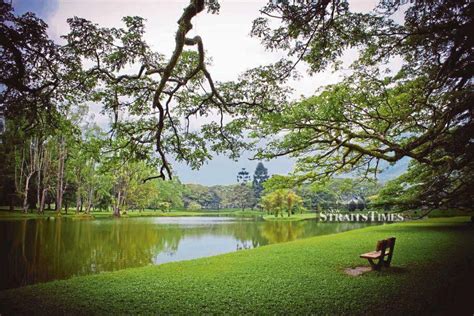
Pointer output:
227, 42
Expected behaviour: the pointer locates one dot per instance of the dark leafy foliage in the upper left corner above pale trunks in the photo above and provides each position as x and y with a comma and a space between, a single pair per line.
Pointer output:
35, 80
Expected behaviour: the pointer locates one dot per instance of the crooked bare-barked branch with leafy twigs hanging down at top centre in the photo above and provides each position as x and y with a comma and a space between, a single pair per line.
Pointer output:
153, 98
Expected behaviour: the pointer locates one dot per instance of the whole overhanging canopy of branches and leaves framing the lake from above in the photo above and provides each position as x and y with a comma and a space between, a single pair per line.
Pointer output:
407, 94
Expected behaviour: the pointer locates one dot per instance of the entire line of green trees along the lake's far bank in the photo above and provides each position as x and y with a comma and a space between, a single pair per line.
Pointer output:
80, 166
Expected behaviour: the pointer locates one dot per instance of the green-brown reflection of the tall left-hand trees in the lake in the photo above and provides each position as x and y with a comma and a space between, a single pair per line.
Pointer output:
41, 250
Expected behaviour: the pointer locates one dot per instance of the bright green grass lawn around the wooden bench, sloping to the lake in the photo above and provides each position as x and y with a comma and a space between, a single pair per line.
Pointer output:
431, 273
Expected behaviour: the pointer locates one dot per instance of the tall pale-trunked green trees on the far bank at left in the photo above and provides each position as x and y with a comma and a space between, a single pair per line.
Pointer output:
77, 165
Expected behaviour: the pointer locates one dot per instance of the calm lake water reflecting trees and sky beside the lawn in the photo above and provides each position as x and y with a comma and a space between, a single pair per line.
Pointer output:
40, 250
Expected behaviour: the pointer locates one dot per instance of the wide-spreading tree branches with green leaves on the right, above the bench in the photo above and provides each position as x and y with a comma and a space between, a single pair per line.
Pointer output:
423, 110
